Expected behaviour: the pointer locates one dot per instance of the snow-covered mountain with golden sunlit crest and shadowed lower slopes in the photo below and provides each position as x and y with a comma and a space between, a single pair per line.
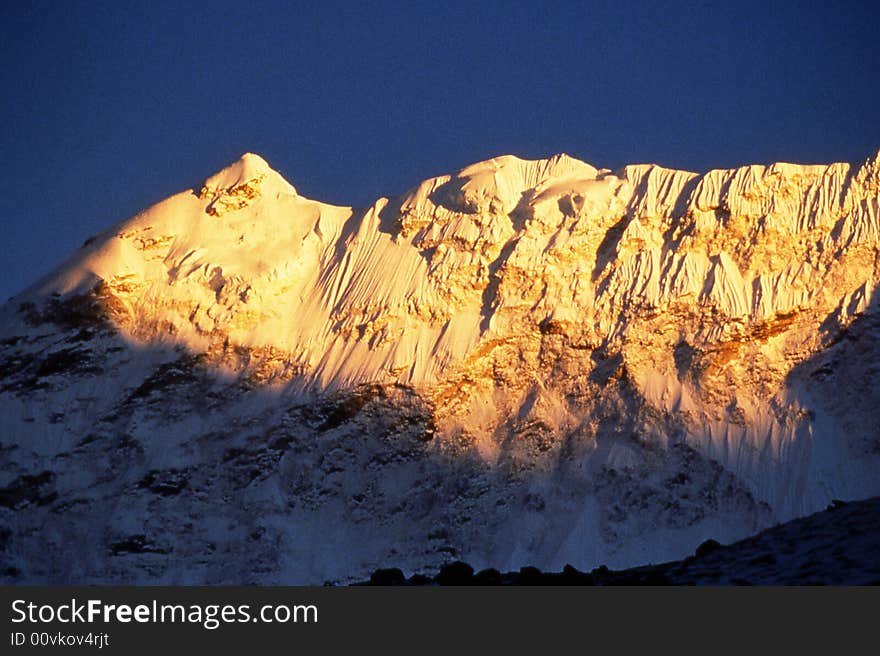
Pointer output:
523, 363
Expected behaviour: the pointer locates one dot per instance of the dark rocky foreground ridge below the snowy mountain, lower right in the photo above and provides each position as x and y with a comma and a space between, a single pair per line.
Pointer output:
838, 546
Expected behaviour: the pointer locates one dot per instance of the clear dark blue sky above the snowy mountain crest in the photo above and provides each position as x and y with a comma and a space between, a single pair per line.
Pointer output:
109, 107
